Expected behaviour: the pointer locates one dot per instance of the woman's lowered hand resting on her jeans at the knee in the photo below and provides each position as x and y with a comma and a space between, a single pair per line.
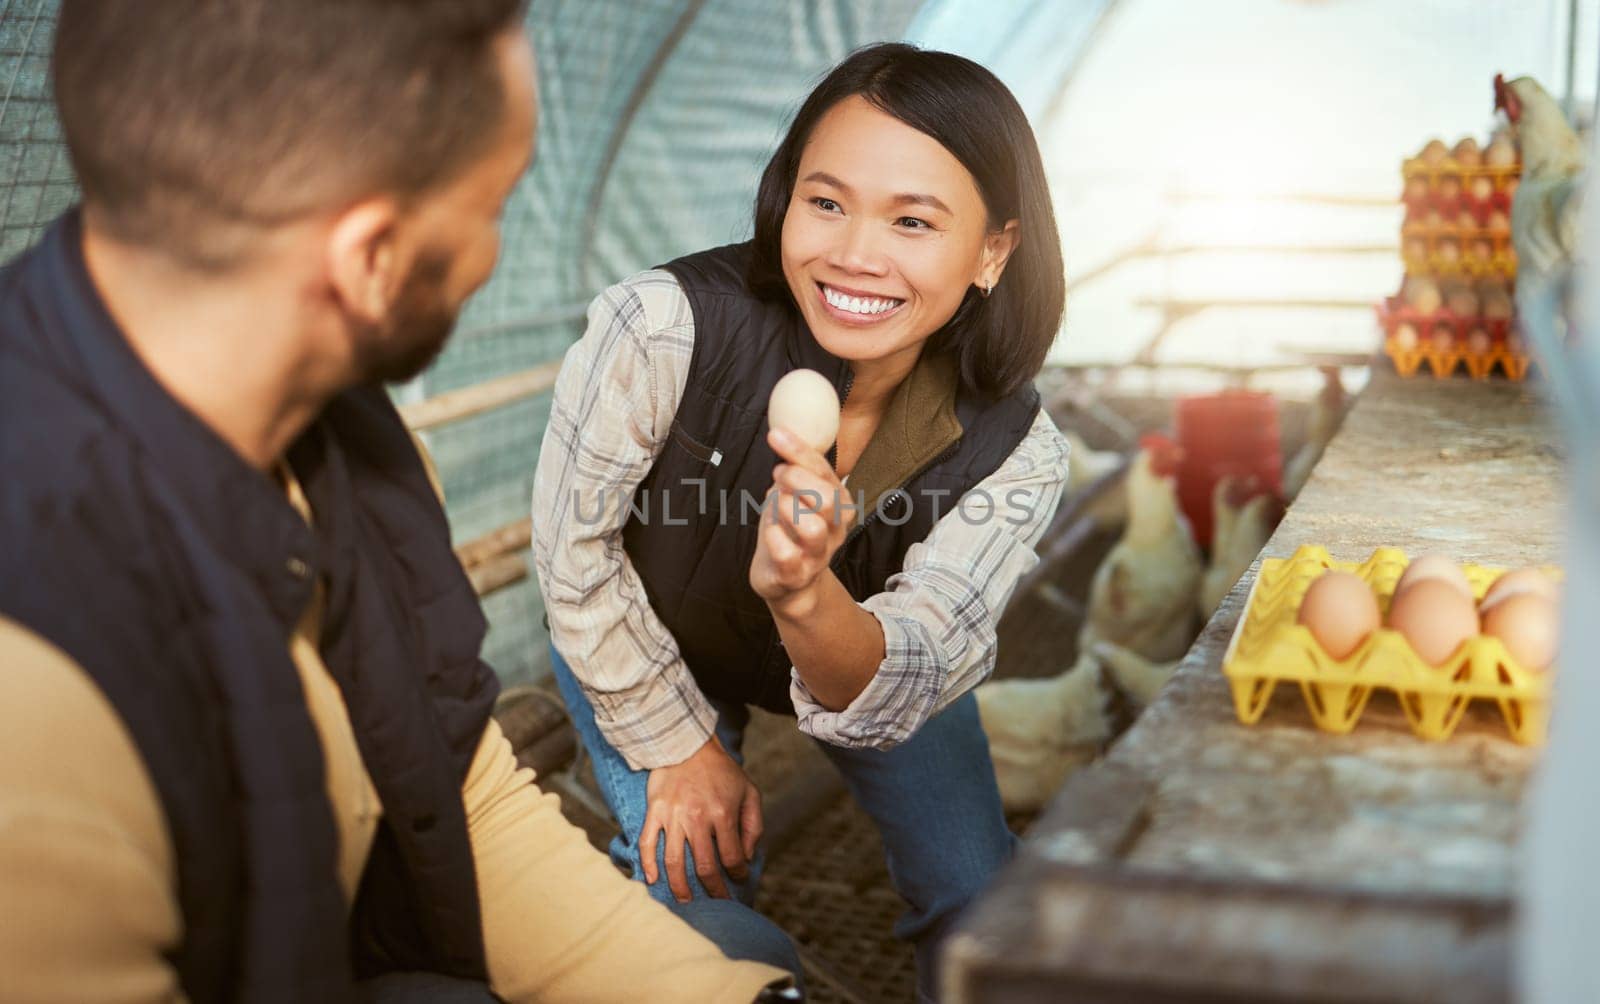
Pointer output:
711, 803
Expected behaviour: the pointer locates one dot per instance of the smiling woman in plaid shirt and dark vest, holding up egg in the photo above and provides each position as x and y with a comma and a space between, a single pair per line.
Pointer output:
906, 252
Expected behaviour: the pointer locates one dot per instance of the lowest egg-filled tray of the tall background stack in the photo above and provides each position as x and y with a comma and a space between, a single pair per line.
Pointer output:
1505, 351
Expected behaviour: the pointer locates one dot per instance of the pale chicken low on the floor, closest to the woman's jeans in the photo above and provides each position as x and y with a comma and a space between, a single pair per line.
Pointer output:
1044, 730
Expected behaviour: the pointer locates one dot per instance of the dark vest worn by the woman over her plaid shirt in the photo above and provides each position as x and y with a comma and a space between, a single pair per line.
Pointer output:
695, 543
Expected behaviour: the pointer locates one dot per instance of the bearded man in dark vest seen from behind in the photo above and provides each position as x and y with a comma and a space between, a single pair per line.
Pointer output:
246, 738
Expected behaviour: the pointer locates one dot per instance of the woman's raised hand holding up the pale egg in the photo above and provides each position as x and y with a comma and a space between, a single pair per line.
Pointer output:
802, 525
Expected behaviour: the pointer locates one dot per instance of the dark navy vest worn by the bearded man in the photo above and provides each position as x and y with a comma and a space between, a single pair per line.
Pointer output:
174, 573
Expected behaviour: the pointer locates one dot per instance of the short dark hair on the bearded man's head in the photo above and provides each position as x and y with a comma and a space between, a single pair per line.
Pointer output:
194, 124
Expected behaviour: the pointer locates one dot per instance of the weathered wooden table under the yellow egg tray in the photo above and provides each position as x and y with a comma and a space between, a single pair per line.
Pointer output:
1206, 859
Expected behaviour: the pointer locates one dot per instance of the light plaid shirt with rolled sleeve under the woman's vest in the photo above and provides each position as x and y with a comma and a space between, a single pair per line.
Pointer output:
615, 402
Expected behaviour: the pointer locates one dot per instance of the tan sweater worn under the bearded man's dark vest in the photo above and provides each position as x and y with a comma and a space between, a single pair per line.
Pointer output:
89, 901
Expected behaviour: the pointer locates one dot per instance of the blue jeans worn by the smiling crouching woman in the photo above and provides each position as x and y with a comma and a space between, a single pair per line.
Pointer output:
934, 800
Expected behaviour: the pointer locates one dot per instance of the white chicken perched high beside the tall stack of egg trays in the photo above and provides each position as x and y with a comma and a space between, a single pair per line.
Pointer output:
1546, 209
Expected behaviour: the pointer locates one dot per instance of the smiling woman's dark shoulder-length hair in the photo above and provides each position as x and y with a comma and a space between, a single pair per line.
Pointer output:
1001, 341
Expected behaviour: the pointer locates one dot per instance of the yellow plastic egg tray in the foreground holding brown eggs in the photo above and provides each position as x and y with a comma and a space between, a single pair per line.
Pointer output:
1271, 648
